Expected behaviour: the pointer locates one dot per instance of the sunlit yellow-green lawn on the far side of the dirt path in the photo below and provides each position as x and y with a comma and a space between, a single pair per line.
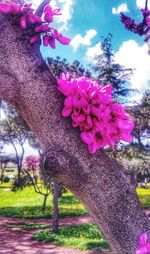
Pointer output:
27, 203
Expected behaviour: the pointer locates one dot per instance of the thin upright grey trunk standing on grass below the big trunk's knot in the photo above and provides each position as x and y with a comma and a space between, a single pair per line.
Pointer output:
55, 220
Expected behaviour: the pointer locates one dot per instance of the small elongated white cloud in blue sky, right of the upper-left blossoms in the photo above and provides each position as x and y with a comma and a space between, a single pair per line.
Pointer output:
79, 40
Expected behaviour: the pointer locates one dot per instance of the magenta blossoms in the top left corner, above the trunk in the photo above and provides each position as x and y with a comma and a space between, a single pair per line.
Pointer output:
42, 27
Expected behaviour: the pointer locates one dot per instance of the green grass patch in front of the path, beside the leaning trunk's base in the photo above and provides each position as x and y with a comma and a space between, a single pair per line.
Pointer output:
83, 237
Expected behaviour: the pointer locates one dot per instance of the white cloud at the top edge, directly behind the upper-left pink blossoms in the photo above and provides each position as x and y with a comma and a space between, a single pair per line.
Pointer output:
66, 7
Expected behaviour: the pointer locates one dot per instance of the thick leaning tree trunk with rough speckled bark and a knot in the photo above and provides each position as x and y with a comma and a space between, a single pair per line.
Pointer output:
98, 181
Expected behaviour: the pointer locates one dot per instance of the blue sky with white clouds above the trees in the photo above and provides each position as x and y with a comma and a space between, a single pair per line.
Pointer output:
85, 21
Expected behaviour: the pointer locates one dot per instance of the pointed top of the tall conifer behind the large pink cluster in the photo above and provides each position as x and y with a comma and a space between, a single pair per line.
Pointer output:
109, 72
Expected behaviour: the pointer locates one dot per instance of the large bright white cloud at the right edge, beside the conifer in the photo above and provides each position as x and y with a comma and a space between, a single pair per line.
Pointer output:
132, 55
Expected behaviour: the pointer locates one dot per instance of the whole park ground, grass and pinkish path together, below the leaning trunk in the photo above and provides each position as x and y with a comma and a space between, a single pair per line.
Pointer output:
22, 223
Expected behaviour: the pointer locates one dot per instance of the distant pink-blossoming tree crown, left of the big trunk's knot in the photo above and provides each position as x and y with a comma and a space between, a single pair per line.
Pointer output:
31, 163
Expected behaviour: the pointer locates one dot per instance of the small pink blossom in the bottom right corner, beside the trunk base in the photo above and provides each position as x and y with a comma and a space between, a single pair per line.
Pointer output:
144, 246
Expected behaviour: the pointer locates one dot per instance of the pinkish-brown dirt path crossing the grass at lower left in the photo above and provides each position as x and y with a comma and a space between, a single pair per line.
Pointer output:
13, 241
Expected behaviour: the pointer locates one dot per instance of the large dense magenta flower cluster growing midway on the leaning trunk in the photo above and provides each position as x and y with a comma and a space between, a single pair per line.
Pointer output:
91, 108
